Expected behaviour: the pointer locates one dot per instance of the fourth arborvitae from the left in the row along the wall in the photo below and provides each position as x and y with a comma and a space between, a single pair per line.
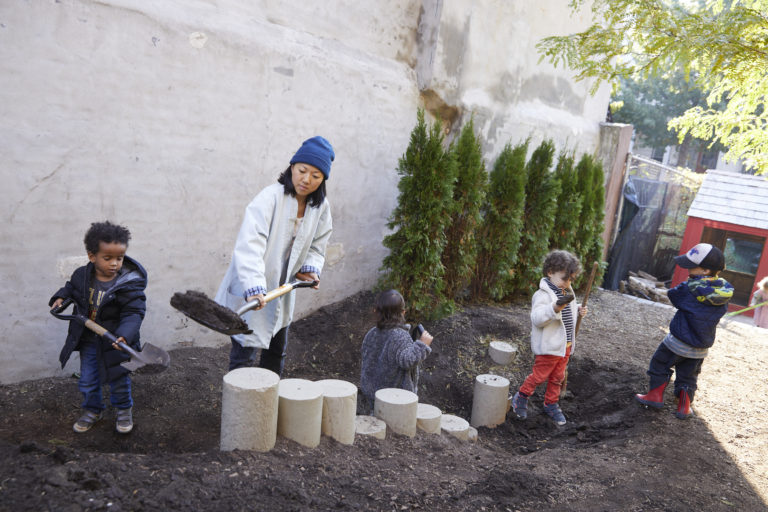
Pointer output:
541, 192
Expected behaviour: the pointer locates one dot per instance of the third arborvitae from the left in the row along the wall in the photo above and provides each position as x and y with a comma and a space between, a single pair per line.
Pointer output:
499, 232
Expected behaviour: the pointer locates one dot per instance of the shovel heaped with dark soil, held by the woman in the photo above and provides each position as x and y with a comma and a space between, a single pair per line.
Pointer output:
213, 315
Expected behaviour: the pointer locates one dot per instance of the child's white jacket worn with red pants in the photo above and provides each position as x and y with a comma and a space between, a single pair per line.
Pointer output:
547, 329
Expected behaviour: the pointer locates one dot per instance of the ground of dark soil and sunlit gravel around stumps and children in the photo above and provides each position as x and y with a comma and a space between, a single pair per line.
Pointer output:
613, 454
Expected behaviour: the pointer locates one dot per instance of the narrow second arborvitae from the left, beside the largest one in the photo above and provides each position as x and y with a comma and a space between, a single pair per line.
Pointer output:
460, 252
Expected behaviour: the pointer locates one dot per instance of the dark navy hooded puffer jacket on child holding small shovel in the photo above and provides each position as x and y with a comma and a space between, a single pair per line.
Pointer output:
121, 312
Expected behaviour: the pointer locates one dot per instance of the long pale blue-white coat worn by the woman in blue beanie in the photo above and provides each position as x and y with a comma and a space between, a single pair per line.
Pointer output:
258, 258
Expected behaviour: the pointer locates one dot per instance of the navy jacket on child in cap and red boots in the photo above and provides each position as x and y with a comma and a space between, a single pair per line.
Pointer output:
701, 302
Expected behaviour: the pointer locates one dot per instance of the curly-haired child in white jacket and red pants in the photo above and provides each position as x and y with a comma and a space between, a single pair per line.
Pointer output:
553, 318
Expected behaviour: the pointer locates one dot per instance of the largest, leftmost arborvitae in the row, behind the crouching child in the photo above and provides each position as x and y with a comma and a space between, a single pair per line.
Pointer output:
413, 266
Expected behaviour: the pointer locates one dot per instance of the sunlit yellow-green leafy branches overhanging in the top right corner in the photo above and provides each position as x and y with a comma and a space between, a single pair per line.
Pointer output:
722, 46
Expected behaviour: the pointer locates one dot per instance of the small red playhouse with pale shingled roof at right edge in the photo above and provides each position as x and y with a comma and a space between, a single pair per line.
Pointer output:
730, 211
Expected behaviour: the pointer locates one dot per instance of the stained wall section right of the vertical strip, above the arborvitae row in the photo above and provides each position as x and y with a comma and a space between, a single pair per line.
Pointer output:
486, 63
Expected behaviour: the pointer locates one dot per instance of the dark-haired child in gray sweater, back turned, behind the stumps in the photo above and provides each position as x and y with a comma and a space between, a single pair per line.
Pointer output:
390, 356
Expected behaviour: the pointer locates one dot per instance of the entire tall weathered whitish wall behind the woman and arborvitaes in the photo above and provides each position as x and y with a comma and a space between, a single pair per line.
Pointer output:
170, 116
